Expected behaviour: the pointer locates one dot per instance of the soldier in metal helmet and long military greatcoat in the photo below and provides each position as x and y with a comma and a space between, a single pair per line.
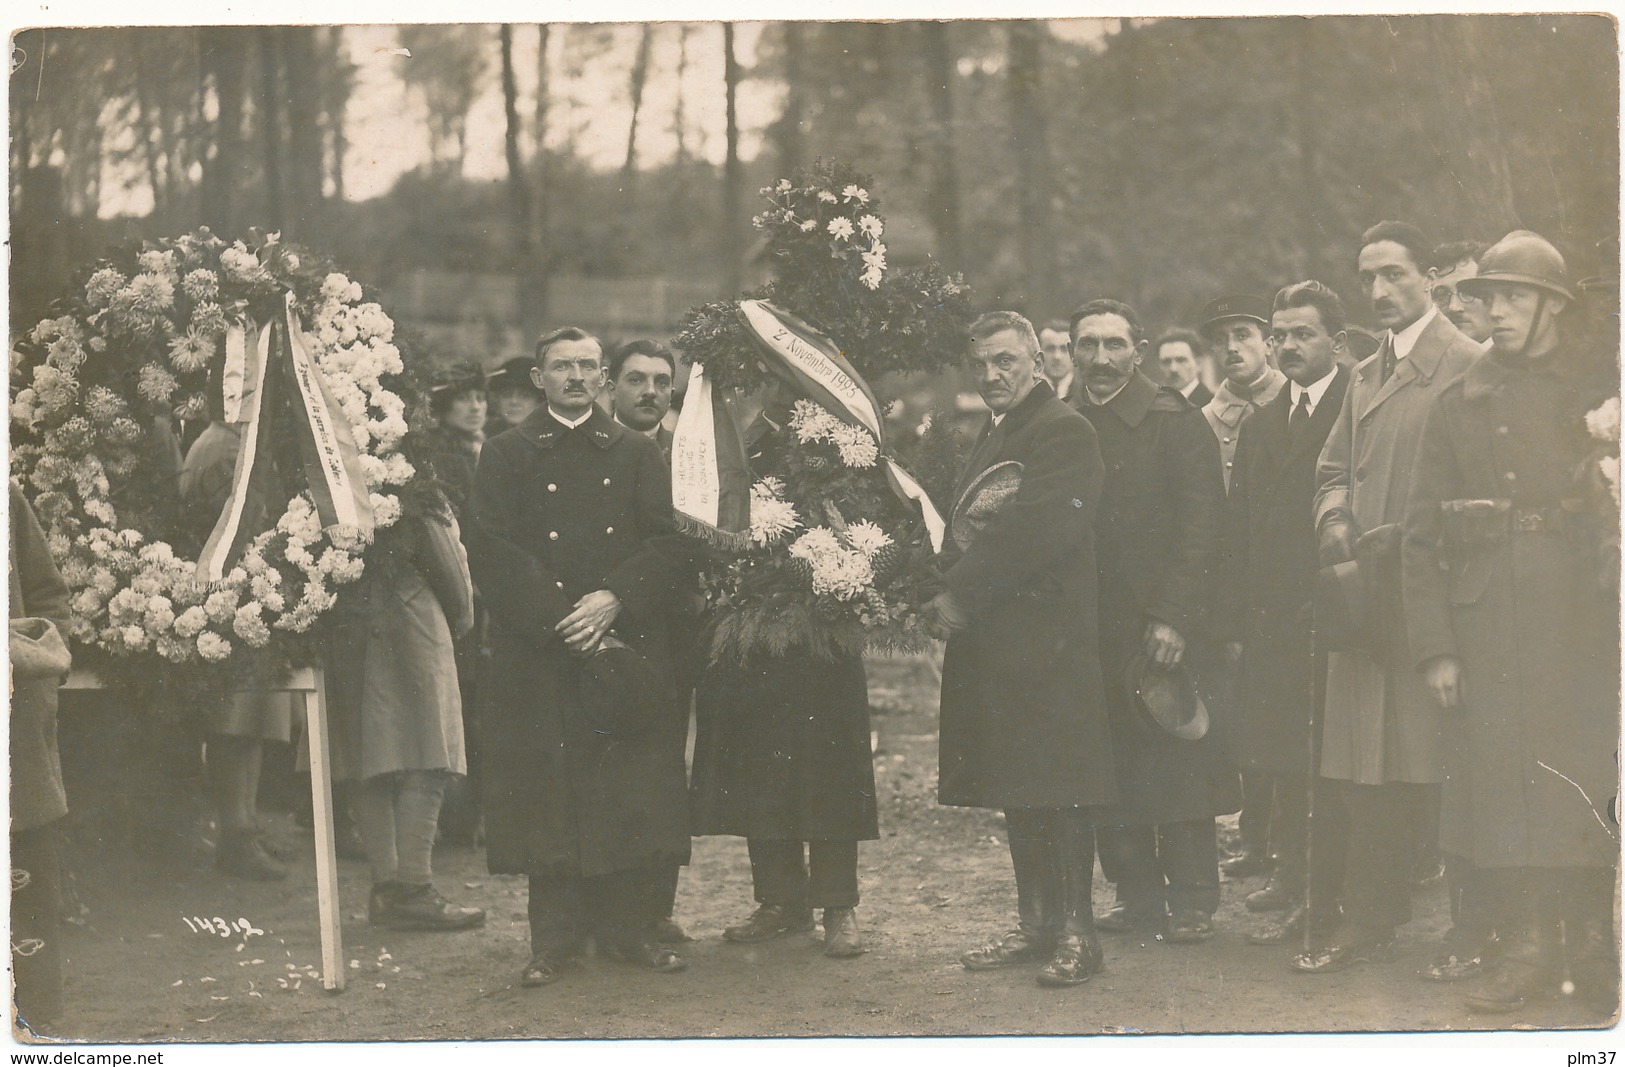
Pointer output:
1512, 603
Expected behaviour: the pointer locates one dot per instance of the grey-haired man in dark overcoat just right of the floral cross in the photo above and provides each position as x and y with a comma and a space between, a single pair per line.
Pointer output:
1025, 725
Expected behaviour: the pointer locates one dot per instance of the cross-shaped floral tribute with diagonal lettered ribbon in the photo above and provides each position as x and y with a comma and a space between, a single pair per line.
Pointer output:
838, 551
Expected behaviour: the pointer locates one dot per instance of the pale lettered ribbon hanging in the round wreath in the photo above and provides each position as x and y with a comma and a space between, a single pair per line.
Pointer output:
262, 379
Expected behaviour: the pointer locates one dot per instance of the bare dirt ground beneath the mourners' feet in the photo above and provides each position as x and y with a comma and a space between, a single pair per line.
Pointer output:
935, 884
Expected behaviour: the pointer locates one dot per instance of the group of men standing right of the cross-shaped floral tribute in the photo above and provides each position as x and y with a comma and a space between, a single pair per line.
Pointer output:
1389, 590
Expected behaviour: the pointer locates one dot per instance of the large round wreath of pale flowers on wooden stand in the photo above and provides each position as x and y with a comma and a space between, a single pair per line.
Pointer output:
97, 395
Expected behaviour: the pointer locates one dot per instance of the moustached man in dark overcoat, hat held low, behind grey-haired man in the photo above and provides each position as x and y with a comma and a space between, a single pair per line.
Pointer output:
1158, 543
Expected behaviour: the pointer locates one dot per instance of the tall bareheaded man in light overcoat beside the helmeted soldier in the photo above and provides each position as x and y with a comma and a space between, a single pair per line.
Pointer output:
1384, 751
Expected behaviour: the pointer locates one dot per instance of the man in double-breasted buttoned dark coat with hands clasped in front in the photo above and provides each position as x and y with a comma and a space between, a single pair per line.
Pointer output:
579, 563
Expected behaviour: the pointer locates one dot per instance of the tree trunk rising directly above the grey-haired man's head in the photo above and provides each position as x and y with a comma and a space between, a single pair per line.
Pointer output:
1031, 145
